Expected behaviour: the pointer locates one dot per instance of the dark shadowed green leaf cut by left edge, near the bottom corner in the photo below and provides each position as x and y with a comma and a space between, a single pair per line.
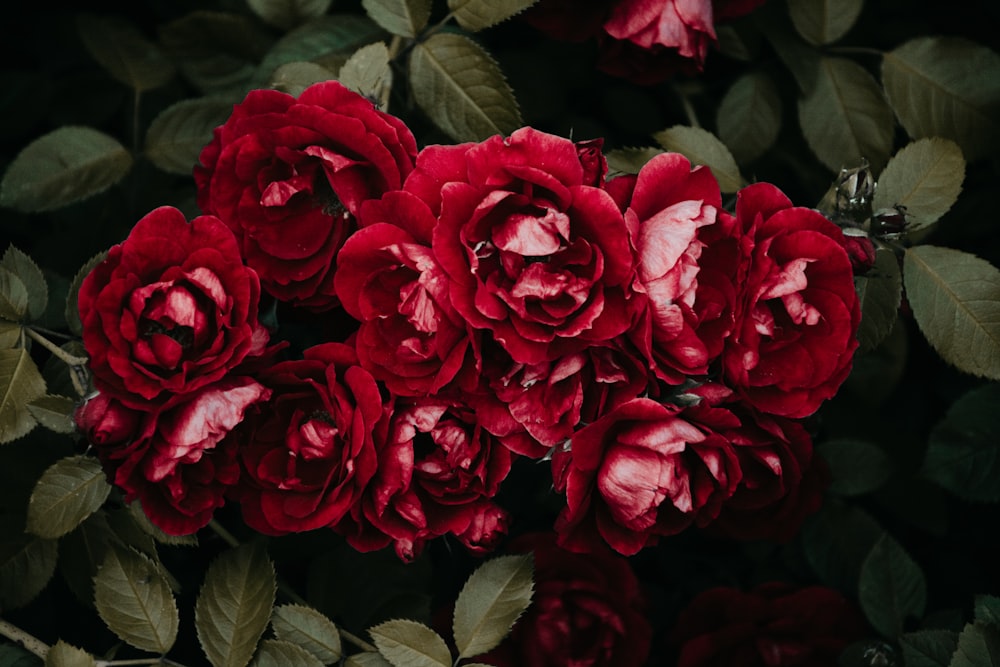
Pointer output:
27, 564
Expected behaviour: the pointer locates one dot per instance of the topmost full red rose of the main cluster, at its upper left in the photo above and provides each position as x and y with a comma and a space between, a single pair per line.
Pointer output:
289, 175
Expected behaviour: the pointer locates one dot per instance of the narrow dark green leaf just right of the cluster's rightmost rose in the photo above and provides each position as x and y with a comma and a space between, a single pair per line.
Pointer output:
880, 292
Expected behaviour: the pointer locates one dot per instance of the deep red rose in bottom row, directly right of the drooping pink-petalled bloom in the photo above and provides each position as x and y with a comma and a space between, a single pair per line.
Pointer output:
310, 451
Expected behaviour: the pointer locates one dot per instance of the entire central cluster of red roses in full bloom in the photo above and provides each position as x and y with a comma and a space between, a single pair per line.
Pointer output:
467, 306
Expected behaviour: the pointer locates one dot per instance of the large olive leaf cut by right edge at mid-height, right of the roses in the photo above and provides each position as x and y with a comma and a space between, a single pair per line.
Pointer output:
955, 298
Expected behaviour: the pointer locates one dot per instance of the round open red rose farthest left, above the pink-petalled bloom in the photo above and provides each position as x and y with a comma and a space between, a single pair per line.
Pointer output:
170, 310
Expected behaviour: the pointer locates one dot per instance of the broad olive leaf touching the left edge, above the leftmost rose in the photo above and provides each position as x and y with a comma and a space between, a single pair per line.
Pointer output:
62, 167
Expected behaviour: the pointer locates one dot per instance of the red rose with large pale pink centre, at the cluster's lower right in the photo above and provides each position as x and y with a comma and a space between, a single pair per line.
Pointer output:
642, 471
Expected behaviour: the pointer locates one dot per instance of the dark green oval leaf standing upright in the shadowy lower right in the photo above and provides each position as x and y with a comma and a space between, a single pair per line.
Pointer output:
891, 588
